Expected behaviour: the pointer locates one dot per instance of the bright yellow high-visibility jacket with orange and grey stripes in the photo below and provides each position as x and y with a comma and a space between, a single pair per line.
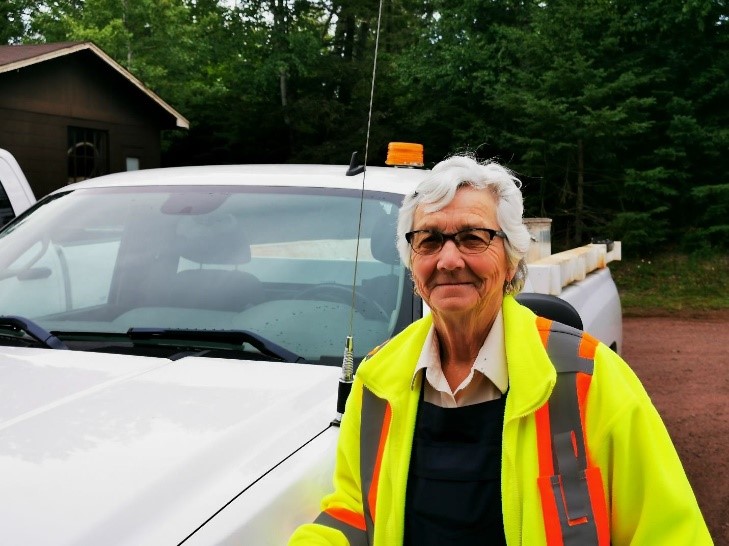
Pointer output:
648, 497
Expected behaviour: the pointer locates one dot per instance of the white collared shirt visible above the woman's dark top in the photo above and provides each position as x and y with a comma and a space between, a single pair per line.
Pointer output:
487, 380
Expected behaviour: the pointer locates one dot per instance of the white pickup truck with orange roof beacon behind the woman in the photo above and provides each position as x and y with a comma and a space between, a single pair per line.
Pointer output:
171, 343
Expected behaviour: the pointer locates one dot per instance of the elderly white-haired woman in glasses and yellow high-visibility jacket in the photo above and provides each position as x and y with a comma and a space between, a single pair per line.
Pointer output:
446, 437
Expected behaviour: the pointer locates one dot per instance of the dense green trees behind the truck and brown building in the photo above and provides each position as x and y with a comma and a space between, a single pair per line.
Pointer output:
613, 112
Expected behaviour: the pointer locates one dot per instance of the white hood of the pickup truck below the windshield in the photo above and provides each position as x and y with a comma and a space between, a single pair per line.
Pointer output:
114, 449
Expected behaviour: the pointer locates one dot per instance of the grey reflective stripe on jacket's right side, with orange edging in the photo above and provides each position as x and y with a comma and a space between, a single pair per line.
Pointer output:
569, 484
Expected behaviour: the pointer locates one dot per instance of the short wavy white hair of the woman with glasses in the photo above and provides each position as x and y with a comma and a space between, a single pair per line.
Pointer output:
439, 188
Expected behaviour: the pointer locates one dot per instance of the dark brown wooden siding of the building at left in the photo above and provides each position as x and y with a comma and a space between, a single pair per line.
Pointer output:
39, 102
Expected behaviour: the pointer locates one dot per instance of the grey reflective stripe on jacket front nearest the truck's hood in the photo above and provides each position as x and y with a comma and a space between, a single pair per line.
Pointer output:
372, 421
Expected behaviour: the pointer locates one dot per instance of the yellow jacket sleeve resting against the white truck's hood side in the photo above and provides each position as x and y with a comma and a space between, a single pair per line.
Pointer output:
341, 521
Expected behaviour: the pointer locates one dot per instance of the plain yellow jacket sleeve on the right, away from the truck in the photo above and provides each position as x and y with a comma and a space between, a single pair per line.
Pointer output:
648, 492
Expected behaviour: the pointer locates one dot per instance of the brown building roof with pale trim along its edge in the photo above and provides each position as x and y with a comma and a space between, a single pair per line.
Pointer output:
14, 57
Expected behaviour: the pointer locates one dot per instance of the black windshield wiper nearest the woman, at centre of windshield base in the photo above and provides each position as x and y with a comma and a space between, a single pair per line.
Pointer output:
237, 337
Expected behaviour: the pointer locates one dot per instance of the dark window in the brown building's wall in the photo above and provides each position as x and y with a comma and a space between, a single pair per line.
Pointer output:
87, 153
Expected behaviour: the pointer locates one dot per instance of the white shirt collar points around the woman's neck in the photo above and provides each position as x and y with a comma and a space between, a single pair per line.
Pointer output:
490, 361
